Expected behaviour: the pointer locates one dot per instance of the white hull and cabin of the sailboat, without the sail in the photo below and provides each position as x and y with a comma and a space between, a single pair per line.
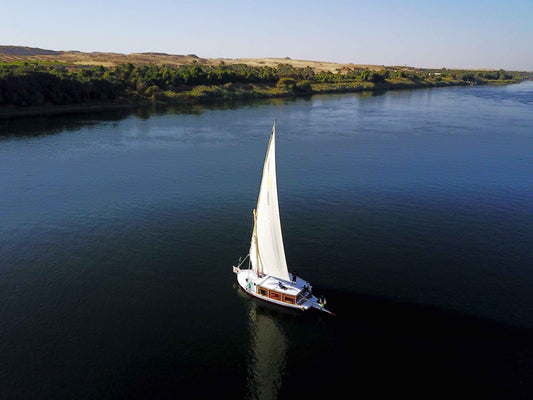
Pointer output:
294, 294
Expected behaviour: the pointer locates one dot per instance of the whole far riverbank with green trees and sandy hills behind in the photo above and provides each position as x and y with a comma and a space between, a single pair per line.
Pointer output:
37, 82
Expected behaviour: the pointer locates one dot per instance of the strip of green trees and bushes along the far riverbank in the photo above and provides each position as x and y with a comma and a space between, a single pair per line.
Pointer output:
28, 88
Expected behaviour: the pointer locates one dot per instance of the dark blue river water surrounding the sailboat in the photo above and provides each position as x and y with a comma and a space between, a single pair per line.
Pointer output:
412, 211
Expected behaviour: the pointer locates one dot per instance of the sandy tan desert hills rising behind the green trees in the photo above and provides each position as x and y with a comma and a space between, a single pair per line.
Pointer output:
19, 53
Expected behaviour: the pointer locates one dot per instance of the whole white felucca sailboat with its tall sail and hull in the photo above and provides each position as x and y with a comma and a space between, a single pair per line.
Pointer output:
267, 276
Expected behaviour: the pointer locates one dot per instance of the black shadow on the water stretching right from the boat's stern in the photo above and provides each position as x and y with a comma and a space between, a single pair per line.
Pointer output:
424, 350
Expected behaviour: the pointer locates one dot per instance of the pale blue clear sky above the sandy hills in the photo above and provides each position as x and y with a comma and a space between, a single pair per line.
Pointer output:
425, 34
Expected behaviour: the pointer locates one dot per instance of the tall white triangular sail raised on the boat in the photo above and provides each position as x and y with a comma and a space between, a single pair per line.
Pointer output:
267, 254
